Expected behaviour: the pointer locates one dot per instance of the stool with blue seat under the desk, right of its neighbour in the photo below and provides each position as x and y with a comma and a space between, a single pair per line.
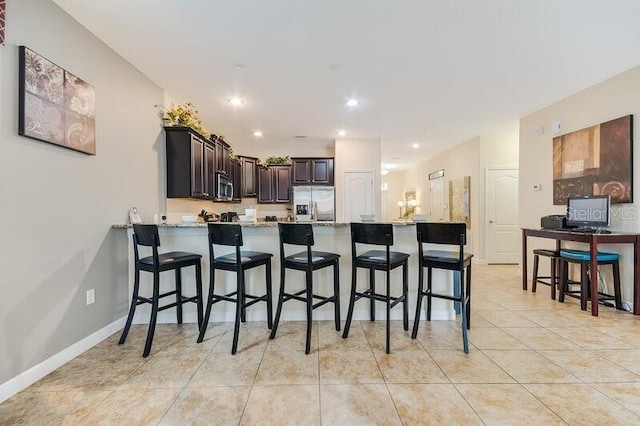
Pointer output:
583, 258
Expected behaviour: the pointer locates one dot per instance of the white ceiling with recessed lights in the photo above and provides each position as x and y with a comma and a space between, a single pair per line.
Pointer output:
435, 72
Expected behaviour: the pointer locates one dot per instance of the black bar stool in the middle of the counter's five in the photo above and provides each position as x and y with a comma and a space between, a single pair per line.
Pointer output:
301, 234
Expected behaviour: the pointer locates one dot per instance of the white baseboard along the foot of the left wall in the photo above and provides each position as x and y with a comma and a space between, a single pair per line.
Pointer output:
35, 373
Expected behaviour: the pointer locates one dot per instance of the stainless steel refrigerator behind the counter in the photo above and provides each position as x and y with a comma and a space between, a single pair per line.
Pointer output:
320, 202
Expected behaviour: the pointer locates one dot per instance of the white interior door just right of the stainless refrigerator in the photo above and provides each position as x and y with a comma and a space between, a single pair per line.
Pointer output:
358, 195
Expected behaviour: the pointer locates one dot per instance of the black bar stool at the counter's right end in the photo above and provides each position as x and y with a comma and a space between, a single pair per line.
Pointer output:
447, 234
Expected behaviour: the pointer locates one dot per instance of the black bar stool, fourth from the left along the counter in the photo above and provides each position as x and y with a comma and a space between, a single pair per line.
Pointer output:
377, 260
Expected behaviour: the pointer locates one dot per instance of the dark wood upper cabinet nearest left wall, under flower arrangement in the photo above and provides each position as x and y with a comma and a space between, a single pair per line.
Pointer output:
189, 164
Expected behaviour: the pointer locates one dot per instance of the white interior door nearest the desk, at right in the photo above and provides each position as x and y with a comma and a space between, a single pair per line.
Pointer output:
502, 215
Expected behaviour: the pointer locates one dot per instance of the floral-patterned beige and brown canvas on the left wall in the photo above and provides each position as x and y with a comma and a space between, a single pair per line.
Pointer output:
55, 106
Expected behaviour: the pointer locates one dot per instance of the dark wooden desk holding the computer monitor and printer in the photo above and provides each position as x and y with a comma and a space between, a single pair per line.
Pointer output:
593, 240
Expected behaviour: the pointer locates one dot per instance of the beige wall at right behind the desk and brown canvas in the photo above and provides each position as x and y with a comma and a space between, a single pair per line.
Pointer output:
607, 100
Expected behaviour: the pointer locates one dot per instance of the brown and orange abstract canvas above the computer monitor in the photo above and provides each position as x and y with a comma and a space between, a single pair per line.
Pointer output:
597, 160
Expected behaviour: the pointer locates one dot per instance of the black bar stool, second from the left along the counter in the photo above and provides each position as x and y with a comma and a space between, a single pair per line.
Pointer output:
238, 262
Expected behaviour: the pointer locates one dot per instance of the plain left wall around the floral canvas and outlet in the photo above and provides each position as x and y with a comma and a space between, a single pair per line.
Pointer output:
58, 205
